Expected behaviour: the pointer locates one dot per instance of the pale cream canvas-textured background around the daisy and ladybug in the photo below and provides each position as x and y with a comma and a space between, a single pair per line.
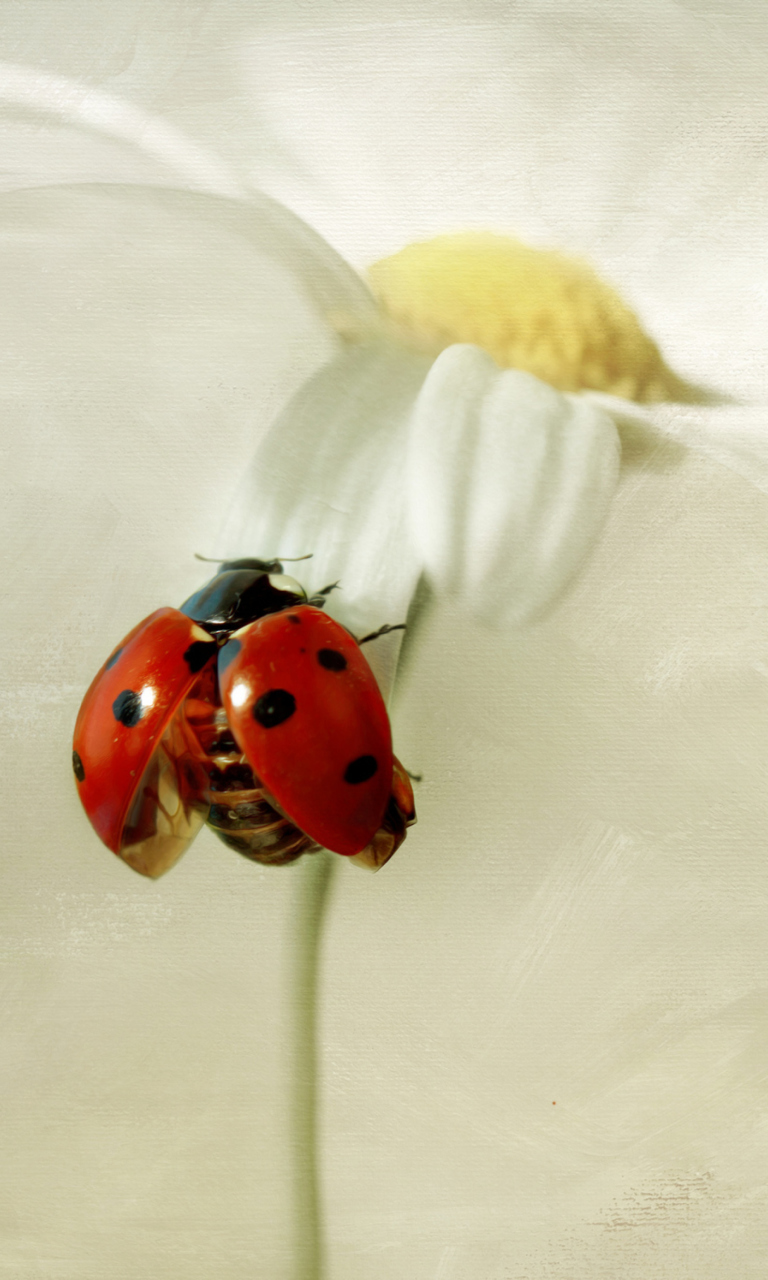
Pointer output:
545, 1026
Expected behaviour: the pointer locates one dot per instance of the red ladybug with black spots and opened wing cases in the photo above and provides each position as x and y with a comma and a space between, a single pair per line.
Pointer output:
248, 710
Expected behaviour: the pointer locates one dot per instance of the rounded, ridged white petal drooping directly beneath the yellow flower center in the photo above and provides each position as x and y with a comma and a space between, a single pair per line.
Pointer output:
509, 484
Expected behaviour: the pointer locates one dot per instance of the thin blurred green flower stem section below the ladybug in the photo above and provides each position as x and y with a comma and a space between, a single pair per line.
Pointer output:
314, 875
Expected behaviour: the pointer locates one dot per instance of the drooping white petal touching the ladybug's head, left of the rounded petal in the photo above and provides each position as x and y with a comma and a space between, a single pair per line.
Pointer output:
330, 479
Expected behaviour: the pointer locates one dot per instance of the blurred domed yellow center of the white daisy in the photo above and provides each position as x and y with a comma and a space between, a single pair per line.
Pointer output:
531, 309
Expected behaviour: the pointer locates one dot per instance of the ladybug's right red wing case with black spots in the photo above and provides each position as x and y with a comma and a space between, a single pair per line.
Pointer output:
339, 720
